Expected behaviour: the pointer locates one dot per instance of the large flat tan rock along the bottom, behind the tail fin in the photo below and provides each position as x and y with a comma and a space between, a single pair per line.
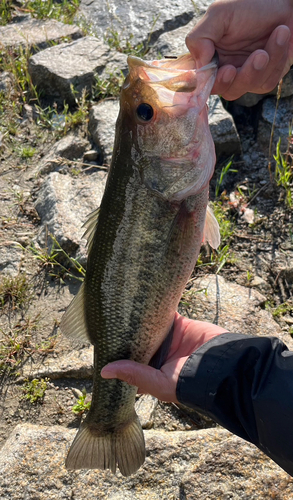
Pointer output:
208, 464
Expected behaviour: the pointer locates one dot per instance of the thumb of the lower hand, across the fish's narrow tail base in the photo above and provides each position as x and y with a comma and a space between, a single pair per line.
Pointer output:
147, 379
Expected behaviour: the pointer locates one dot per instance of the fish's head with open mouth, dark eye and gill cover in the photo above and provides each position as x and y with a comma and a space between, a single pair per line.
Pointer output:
163, 109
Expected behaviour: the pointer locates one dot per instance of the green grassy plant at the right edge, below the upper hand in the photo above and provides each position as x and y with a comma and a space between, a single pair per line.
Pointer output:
284, 171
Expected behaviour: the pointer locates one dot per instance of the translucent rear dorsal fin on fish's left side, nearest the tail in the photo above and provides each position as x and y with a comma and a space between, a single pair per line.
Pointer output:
73, 323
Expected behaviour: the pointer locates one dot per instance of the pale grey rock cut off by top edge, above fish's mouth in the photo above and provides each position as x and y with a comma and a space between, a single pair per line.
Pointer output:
137, 20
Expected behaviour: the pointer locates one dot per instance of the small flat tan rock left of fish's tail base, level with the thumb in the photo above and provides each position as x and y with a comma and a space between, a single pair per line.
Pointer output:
77, 364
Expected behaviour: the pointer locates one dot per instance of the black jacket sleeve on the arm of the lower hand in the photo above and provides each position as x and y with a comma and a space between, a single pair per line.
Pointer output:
245, 384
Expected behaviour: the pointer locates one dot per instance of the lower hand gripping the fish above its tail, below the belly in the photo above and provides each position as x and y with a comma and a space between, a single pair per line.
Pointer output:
188, 336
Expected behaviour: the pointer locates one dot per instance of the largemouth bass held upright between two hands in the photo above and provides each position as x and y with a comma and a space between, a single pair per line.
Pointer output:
143, 244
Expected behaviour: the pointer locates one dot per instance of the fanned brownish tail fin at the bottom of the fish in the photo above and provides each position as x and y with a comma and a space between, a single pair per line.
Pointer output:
92, 449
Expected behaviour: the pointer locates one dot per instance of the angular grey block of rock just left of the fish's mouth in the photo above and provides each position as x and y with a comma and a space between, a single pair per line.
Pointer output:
69, 68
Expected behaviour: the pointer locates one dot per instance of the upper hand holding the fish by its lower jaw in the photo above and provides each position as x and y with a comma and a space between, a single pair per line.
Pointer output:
254, 41
